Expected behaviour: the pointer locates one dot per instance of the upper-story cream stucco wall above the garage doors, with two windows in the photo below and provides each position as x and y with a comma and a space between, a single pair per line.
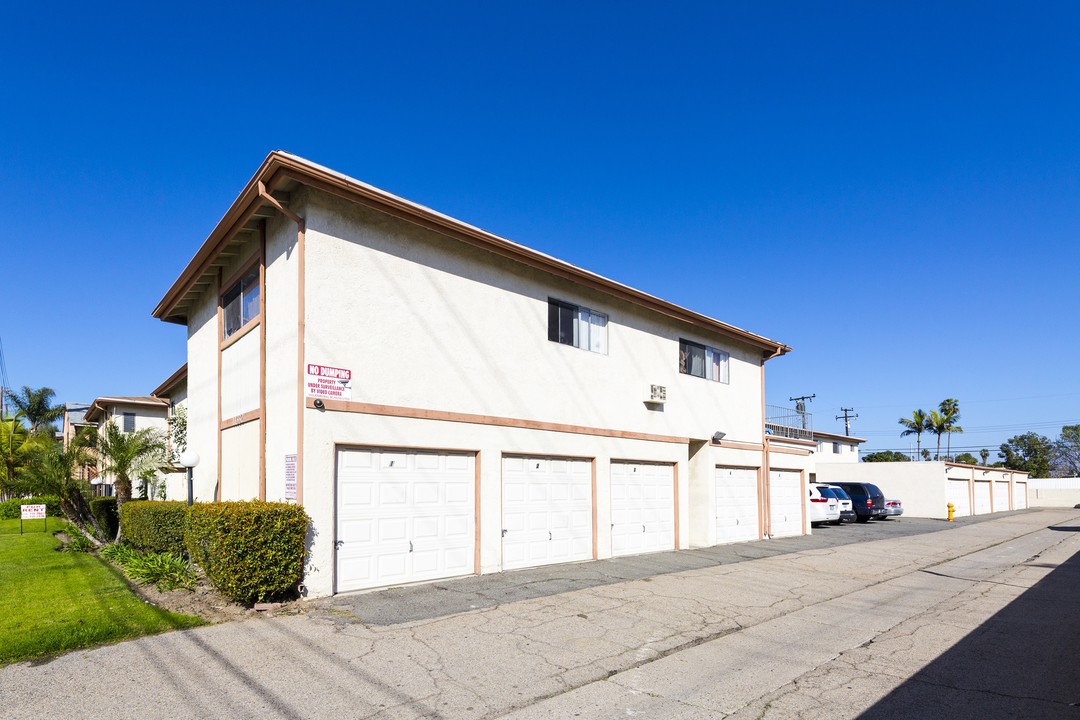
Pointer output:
425, 322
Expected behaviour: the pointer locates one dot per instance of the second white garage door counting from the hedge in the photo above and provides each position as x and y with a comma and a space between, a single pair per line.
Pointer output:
547, 511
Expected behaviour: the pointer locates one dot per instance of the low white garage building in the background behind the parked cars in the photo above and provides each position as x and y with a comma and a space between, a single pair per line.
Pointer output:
926, 488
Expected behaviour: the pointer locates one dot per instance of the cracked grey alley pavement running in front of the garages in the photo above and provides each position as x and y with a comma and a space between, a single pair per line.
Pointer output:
971, 620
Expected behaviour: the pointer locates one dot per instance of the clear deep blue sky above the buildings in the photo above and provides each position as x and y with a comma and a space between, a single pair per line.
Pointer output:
893, 192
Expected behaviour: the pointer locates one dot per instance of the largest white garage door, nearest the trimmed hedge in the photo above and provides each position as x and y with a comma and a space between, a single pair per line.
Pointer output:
403, 517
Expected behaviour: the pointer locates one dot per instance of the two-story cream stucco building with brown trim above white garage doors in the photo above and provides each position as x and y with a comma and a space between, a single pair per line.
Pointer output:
445, 402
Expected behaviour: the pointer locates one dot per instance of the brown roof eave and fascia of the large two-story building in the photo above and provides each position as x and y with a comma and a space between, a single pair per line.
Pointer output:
280, 166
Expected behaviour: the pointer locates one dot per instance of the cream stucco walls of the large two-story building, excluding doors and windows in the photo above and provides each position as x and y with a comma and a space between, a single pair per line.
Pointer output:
427, 323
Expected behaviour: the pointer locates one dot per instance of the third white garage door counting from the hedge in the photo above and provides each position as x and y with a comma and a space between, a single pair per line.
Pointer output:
643, 508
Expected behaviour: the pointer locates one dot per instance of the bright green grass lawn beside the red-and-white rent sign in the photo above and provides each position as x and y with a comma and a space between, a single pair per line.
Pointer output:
55, 602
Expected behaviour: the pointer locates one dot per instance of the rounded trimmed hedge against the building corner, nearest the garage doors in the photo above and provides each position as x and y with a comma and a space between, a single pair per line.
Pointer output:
252, 552
